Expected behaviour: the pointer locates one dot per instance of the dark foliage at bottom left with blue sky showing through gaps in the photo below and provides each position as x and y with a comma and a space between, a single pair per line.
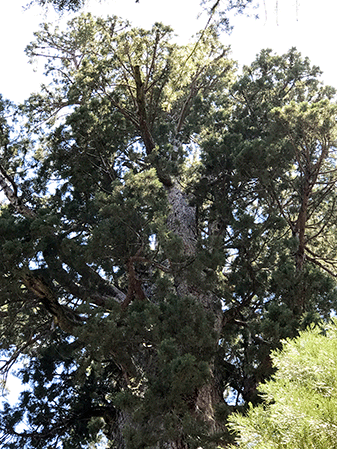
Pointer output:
54, 402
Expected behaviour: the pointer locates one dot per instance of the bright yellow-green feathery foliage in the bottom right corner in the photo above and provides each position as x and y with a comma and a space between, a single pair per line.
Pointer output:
300, 405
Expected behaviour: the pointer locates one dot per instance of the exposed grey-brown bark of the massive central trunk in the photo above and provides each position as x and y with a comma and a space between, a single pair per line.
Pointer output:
182, 221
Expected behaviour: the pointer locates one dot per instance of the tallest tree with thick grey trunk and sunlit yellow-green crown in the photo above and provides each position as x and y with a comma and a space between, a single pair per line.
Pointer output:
129, 96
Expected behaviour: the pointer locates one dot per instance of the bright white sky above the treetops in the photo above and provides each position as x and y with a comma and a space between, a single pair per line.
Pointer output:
314, 33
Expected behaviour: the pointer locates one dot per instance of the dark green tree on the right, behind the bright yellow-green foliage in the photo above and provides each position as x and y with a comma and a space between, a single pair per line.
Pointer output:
267, 194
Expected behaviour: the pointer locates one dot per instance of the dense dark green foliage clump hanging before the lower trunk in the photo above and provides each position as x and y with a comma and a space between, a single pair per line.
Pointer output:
180, 345
